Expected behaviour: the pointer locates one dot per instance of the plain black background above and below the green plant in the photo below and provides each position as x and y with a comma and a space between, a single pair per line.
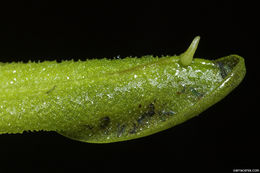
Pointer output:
222, 138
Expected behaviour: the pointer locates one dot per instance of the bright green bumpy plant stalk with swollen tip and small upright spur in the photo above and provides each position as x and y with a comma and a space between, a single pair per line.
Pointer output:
102, 101
